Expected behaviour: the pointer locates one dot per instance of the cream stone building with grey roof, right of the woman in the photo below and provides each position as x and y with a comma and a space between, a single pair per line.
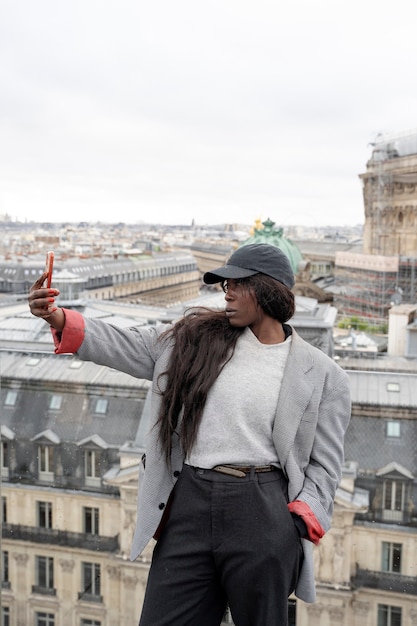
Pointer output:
366, 566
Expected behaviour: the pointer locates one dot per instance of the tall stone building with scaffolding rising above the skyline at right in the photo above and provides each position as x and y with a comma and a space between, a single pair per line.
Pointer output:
385, 272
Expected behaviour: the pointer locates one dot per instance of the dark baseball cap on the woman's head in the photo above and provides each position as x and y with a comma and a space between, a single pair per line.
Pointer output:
254, 258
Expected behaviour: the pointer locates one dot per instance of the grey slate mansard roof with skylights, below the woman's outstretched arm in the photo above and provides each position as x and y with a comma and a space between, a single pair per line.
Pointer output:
37, 377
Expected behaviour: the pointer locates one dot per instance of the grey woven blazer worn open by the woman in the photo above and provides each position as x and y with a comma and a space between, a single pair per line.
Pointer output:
312, 415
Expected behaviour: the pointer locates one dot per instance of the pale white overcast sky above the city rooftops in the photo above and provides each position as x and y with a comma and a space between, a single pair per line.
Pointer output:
217, 111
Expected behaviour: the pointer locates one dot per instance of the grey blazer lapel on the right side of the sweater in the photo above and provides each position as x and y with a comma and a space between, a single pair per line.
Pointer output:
294, 397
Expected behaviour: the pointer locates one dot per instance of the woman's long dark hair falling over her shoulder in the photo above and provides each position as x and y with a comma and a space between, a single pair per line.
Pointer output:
203, 342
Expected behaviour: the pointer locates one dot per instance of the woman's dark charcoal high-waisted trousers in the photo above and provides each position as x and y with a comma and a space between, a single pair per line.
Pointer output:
227, 541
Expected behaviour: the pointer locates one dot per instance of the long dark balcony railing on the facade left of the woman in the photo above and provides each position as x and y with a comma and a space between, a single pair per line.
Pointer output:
60, 537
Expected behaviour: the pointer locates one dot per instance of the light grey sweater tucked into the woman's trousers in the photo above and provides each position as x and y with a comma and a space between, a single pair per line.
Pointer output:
237, 421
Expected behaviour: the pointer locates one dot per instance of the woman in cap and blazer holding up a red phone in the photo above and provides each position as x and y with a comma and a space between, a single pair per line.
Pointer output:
245, 452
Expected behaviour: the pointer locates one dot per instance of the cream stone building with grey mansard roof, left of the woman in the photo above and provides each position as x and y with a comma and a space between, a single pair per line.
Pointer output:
66, 521
